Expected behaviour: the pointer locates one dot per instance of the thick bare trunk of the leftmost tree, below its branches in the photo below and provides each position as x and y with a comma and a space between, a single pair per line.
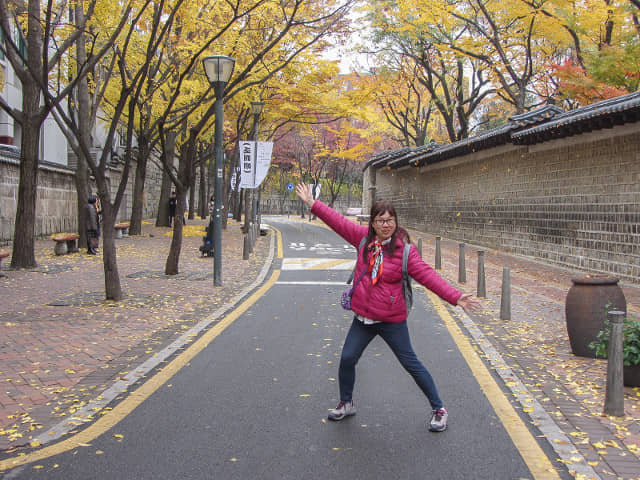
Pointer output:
23, 255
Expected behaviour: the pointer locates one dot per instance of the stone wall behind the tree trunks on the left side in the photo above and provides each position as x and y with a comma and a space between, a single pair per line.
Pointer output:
56, 197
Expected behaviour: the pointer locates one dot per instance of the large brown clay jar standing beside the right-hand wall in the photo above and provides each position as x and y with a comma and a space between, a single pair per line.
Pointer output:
586, 307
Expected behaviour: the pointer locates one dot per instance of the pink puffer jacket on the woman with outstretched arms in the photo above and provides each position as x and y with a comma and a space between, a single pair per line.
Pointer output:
384, 301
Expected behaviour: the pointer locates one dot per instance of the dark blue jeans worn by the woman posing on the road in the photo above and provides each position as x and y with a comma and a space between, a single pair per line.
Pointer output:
396, 335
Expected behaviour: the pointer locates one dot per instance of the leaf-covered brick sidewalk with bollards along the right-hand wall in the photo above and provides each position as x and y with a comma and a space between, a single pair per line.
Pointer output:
535, 345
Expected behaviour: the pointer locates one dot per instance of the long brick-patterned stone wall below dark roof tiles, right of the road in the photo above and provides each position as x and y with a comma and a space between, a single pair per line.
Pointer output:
574, 202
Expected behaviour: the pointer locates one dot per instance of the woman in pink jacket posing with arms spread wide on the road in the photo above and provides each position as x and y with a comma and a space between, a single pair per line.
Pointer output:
378, 301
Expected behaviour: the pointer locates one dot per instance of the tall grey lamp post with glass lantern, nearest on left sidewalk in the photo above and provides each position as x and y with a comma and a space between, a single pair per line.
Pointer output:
218, 69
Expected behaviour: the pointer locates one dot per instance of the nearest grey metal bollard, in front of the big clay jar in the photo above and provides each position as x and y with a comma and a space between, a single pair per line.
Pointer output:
614, 396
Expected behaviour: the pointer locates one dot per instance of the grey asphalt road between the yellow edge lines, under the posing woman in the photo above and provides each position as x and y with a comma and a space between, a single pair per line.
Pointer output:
253, 403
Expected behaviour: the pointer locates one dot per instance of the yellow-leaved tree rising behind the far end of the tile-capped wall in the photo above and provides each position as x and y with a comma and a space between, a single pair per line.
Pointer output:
416, 55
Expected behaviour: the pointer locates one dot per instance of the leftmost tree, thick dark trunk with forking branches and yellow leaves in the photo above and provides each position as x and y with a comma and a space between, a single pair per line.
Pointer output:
45, 81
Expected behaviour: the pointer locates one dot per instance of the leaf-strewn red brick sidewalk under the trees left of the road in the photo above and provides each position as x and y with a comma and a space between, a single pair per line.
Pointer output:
62, 343
